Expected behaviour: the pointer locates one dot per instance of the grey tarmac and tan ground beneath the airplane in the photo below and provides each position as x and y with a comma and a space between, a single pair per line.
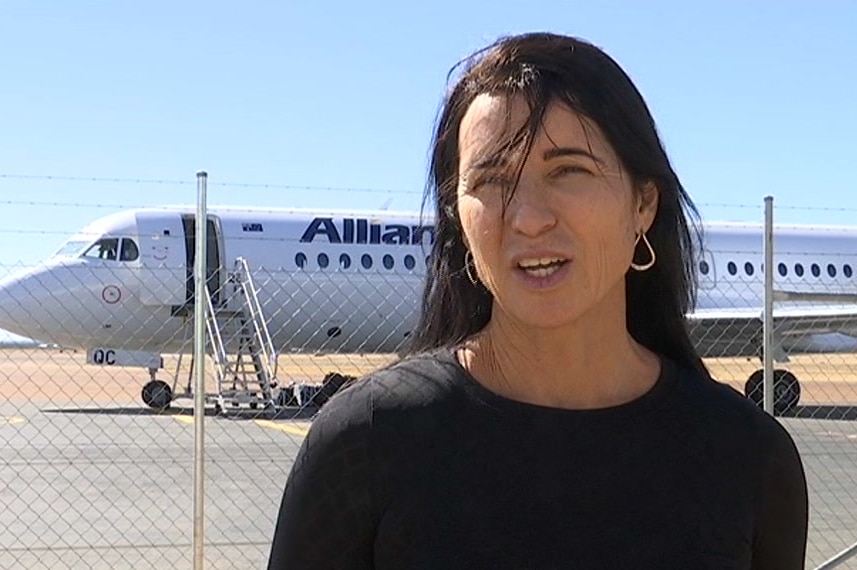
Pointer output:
91, 478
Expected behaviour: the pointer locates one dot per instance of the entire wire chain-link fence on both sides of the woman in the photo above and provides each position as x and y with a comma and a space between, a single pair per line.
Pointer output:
98, 470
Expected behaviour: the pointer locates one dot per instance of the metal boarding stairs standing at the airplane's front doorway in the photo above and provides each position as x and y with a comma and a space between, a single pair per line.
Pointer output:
242, 323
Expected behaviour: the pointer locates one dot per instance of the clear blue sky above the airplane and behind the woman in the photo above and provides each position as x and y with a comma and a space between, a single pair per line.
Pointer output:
751, 98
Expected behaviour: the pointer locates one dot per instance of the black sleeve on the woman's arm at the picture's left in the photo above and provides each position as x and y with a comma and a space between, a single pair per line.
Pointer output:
325, 519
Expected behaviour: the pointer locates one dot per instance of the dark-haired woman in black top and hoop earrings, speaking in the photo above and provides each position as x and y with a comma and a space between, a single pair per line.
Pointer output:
551, 412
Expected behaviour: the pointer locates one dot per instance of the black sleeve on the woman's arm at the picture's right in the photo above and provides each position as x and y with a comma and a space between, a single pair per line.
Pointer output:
781, 530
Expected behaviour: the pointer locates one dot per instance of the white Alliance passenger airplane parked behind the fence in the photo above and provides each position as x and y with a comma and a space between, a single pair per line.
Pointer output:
336, 281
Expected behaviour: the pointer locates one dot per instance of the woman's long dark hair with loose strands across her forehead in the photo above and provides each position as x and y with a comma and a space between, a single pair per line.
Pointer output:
544, 68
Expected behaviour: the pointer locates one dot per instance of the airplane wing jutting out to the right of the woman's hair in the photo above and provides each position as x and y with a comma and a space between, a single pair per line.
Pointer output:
738, 332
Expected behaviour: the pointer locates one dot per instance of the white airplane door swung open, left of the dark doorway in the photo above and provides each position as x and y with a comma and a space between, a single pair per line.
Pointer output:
162, 259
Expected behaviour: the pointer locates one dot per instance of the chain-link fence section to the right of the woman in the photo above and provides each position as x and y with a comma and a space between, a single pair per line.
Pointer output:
814, 348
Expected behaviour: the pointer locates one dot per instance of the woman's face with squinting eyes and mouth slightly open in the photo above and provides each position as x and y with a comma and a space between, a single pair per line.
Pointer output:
566, 241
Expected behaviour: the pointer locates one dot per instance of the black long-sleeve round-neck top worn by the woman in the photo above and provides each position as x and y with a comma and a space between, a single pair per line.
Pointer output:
418, 466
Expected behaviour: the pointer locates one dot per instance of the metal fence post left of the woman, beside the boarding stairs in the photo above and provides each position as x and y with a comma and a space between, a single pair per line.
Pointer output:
199, 376
